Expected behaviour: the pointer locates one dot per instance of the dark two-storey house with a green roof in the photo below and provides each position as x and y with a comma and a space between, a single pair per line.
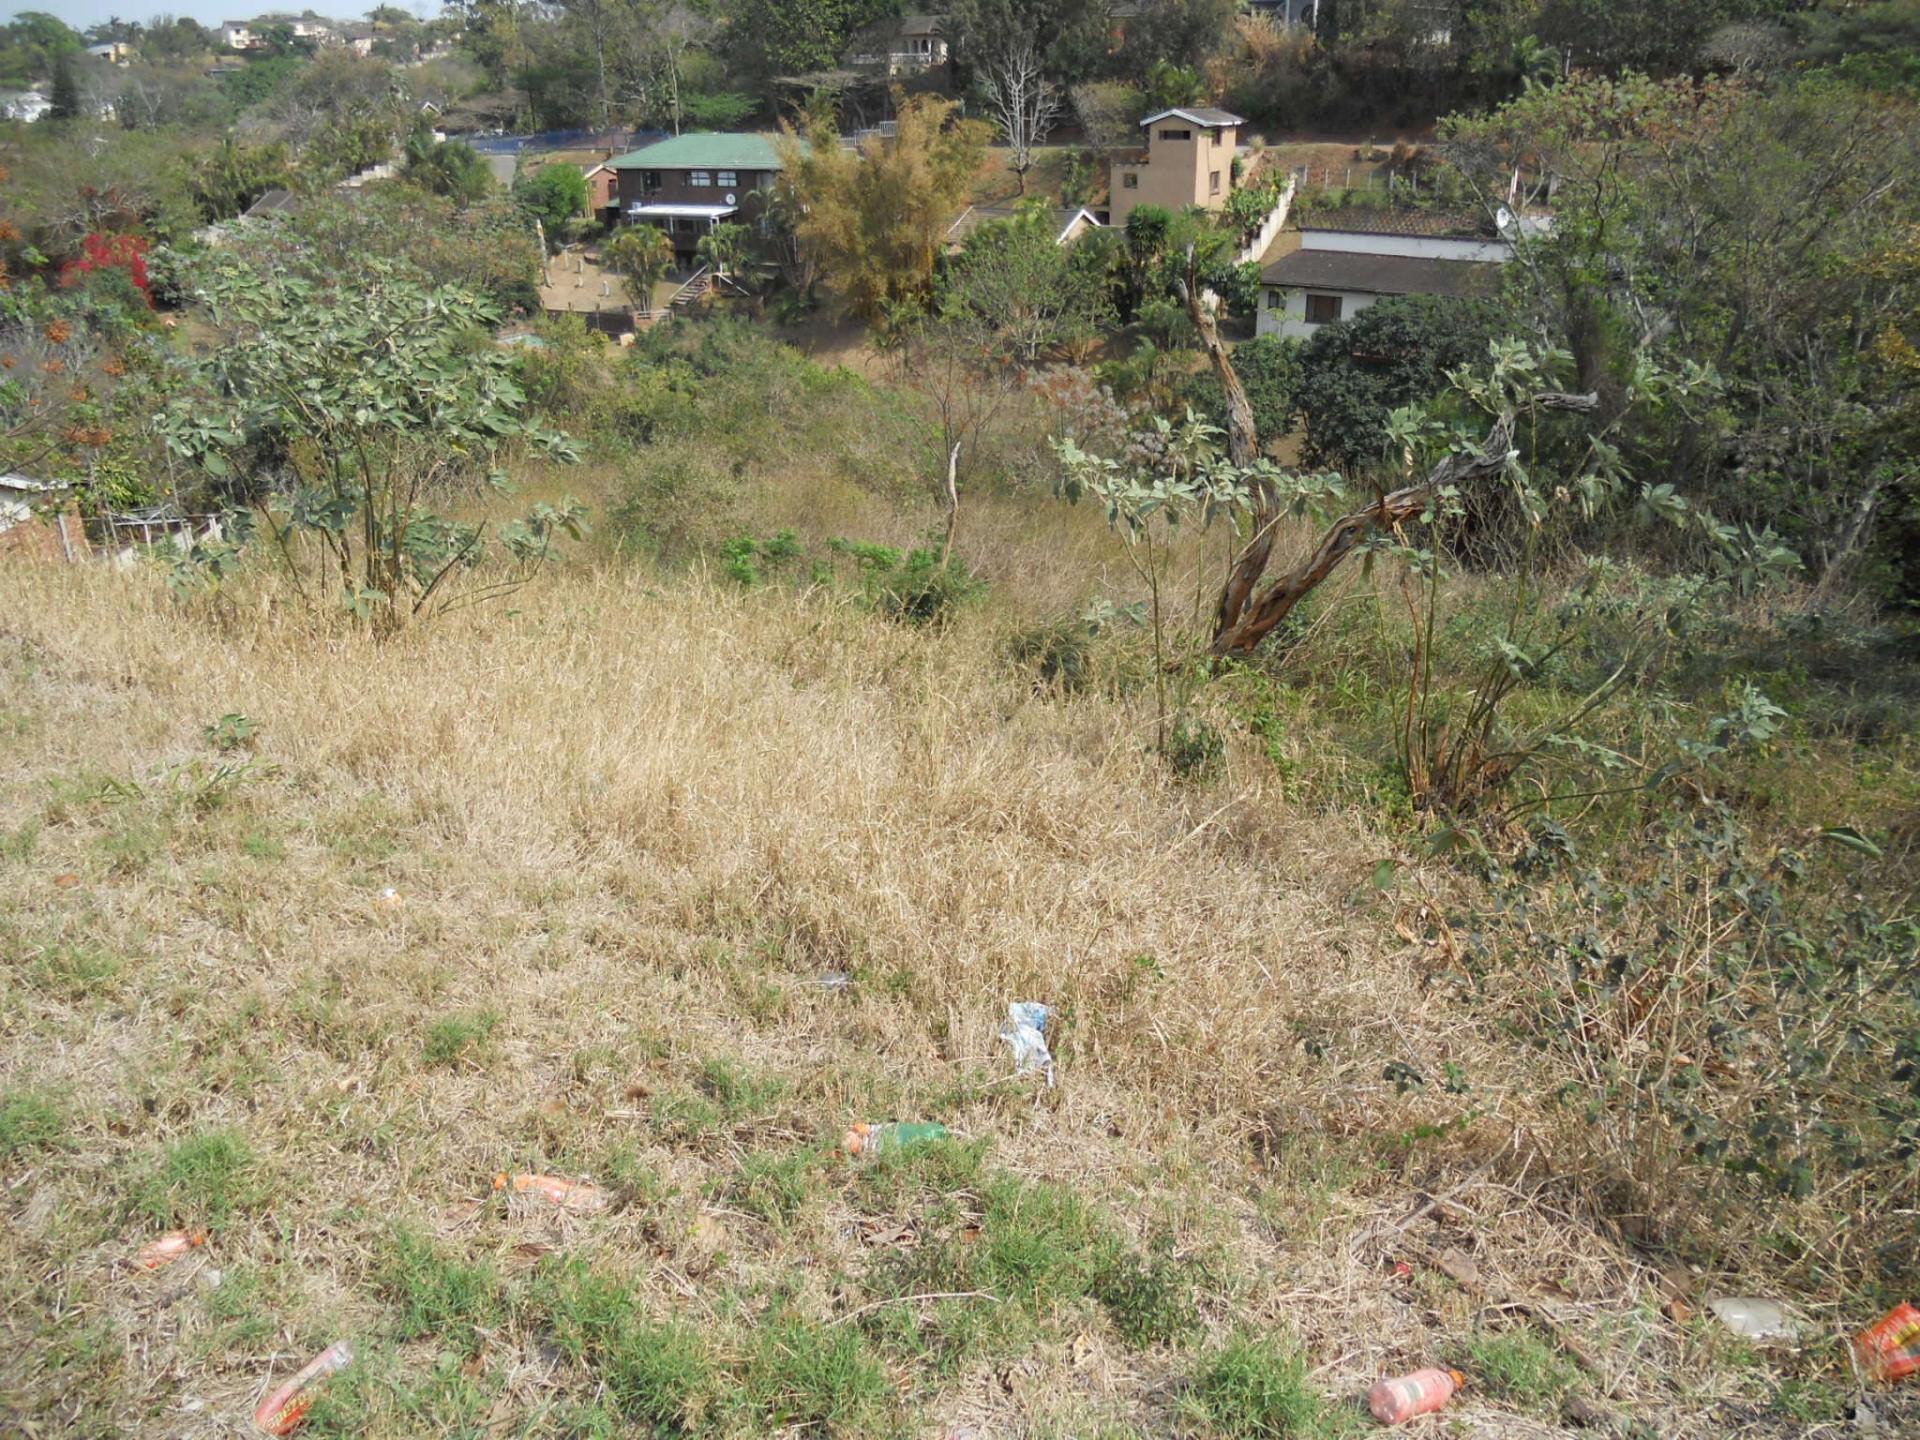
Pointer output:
692, 183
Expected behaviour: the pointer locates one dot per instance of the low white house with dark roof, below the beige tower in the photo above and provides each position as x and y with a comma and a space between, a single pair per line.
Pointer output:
1353, 258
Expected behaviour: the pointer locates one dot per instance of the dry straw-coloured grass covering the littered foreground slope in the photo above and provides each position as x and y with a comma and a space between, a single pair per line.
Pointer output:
631, 825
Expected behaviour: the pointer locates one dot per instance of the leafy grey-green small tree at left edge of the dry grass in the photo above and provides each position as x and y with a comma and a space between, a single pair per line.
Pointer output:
335, 416
